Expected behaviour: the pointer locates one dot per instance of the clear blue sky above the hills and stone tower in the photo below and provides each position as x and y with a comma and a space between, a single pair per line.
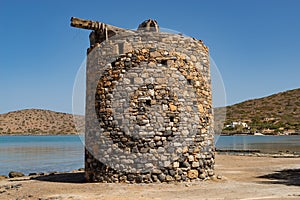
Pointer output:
254, 43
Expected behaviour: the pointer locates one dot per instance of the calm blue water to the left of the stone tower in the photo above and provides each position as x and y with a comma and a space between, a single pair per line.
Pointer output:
40, 153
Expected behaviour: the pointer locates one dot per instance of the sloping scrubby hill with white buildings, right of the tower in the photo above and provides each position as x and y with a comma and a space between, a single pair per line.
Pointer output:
275, 114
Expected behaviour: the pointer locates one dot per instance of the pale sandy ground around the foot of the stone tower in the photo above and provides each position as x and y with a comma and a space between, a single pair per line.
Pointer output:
243, 177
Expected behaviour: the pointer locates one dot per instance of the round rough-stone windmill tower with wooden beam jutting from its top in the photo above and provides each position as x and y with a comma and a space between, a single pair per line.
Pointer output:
148, 106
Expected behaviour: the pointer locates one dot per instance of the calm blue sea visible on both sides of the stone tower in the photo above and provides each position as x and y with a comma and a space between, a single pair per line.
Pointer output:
61, 153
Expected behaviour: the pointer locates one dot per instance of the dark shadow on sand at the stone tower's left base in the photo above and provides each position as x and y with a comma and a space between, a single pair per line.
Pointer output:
63, 178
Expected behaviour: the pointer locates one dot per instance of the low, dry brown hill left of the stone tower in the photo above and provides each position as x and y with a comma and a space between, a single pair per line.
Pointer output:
36, 121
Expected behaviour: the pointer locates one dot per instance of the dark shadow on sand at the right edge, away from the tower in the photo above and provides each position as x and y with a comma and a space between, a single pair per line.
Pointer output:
286, 177
